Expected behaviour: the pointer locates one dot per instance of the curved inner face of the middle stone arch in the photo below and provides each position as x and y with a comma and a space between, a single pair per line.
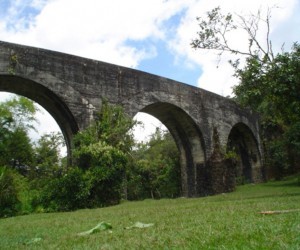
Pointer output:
189, 141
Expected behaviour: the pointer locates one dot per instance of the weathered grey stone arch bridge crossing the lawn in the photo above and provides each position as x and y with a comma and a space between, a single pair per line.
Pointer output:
203, 124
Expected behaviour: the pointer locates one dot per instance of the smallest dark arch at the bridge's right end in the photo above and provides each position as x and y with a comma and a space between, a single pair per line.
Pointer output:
248, 166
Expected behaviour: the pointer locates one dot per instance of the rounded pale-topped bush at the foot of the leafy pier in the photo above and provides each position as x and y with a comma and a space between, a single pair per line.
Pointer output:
104, 167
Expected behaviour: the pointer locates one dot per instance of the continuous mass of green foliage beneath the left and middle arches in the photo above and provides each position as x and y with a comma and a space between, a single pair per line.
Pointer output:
107, 164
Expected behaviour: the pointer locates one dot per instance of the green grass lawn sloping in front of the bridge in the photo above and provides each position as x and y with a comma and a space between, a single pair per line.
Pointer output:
226, 221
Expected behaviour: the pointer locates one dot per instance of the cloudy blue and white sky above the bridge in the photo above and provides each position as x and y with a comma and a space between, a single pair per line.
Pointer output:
149, 35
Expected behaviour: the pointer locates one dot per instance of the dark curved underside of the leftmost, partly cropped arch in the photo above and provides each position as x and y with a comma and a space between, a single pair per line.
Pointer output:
47, 99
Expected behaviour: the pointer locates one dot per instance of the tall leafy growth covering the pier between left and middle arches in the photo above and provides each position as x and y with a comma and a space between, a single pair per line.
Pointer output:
103, 150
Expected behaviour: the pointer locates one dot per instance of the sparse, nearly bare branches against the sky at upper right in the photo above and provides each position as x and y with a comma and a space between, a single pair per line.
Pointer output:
217, 28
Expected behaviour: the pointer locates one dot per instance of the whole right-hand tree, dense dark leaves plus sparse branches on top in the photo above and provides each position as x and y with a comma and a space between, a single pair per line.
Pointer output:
268, 83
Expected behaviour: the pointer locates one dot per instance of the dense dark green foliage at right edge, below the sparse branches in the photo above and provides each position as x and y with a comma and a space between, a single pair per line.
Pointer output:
272, 89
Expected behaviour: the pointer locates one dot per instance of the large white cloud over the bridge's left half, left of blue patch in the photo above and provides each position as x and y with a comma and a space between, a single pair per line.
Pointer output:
95, 29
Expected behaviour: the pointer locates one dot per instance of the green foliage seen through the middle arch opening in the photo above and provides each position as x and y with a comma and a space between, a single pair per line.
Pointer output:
156, 173
